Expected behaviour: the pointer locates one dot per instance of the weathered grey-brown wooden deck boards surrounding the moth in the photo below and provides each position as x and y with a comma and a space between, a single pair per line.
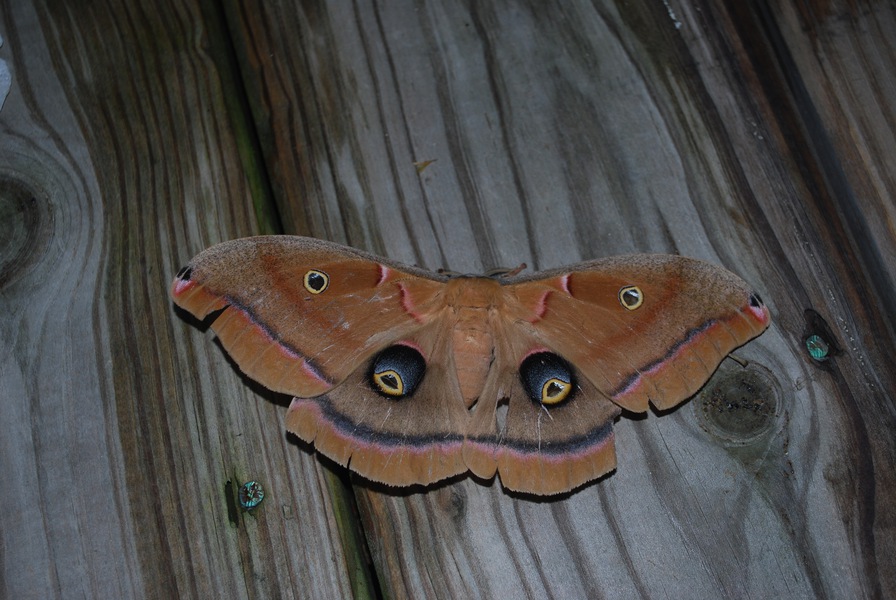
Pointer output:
758, 135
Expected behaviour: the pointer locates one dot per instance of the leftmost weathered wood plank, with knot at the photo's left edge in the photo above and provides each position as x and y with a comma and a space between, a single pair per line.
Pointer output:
120, 426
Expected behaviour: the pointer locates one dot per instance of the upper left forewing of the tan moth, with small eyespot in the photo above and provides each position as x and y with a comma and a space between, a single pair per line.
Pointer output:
299, 315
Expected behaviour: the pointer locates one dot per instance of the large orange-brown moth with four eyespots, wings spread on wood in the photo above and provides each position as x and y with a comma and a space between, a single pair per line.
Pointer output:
409, 376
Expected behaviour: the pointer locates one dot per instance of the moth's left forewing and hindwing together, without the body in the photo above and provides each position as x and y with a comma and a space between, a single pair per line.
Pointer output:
325, 323
